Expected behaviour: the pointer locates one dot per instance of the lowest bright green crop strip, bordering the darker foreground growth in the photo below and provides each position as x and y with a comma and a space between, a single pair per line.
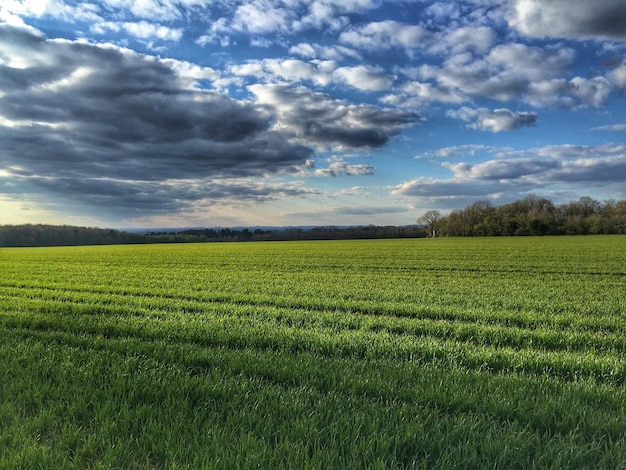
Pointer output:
240, 334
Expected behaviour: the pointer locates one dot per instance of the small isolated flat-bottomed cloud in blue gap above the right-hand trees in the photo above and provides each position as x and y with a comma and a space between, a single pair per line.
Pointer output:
497, 120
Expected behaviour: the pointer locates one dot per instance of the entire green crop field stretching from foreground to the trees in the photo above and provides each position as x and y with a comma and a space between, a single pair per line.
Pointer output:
426, 353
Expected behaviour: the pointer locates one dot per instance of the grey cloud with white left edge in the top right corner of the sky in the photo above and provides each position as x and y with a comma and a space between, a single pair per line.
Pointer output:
574, 19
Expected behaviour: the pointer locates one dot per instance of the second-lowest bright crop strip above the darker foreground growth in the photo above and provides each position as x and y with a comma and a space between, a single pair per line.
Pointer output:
493, 334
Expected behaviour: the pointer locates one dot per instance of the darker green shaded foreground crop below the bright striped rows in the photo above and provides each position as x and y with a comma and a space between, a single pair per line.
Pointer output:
106, 402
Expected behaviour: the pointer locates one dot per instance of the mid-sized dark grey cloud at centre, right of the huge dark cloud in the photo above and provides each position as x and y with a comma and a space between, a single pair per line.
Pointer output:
319, 119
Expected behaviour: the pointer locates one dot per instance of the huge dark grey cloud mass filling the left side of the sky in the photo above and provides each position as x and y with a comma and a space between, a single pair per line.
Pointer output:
84, 118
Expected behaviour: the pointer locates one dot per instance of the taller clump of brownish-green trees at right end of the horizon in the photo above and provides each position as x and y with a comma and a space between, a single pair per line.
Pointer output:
532, 215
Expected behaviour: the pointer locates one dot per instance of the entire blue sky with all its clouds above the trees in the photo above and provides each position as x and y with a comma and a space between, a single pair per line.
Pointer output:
203, 113
